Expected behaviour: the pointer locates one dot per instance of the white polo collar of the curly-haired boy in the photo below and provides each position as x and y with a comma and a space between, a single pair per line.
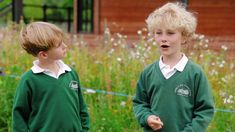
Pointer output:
168, 72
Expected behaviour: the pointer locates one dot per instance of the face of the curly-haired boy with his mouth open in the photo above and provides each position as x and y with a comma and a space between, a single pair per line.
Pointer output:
169, 41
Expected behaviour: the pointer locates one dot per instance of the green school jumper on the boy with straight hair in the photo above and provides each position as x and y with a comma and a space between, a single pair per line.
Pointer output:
46, 104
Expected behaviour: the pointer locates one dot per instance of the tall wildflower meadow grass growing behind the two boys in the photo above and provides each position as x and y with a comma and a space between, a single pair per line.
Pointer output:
114, 65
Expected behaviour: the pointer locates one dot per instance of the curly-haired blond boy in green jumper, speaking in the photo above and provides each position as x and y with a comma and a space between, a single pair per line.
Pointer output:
173, 94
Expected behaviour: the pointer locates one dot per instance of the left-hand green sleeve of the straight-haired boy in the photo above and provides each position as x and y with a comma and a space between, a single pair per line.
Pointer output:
21, 107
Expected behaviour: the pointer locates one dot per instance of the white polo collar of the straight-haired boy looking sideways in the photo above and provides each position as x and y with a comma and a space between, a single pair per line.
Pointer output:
62, 69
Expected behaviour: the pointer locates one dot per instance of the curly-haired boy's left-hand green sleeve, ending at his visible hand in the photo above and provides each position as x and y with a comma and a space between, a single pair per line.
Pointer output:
141, 104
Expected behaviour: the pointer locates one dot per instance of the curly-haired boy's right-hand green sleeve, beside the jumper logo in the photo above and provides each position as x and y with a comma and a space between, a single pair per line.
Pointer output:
204, 105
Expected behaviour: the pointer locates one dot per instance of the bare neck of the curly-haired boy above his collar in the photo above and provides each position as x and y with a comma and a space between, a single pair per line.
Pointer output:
172, 60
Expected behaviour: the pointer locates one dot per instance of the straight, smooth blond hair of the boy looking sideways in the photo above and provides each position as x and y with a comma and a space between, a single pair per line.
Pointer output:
40, 36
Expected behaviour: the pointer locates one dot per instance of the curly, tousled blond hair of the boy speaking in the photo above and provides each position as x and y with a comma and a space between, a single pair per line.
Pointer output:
173, 16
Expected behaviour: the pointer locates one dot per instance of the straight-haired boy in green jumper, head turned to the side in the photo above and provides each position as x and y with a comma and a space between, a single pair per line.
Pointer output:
48, 97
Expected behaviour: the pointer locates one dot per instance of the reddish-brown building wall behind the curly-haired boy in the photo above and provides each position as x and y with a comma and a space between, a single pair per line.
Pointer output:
215, 17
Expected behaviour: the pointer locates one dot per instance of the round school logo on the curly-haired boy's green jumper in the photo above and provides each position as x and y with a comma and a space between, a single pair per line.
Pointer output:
183, 90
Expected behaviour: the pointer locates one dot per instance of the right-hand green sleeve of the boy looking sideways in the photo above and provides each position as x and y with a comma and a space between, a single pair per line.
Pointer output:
83, 111
